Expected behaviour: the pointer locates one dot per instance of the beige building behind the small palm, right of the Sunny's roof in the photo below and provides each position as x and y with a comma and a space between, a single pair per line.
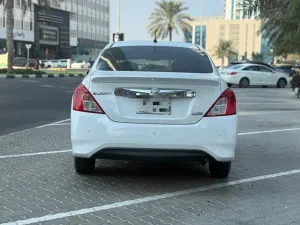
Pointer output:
243, 33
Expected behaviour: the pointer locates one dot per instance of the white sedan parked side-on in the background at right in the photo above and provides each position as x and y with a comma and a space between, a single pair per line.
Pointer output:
254, 74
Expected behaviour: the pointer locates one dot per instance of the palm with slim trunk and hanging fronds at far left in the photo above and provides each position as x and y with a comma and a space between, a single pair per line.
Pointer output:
9, 7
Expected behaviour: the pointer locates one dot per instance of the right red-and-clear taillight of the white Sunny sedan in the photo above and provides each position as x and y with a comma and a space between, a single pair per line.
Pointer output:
224, 106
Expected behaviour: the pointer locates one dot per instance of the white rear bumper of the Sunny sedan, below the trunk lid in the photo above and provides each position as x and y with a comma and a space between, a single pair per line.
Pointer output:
95, 135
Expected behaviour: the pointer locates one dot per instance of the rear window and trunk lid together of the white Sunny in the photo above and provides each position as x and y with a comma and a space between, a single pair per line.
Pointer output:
165, 88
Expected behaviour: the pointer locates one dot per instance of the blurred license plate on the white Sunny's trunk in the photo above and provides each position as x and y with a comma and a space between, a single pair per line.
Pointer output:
156, 106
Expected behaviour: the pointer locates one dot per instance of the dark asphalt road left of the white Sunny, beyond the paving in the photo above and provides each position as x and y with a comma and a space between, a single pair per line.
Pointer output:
26, 103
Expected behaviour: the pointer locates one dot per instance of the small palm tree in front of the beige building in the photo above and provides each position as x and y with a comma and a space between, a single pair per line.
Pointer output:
224, 49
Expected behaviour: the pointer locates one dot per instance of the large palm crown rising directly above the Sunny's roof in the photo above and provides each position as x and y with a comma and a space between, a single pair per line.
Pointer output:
167, 17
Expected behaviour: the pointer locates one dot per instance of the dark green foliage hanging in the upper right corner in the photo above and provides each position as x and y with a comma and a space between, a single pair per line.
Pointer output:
280, 22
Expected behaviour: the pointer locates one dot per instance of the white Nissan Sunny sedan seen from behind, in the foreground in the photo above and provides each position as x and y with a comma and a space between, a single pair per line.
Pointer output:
147, 100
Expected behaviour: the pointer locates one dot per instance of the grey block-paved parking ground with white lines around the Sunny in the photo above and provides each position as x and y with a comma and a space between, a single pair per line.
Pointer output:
38, 184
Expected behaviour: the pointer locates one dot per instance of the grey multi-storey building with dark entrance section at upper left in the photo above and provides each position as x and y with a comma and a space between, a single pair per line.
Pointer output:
77, 29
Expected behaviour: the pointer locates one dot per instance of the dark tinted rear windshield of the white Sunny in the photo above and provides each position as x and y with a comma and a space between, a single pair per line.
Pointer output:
155, 59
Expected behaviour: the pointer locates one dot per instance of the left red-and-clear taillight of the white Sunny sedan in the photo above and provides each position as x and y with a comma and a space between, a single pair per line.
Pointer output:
84, 101
